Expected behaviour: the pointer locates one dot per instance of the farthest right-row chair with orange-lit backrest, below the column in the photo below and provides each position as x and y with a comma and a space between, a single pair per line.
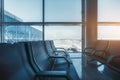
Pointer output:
97, 52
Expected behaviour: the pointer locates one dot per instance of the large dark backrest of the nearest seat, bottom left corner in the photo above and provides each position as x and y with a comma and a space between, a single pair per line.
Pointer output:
14, 64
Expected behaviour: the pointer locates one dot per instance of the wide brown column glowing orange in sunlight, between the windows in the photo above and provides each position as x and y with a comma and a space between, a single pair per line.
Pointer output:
91, 22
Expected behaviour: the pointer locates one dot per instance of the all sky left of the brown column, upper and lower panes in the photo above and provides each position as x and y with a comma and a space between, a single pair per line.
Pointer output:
55, 10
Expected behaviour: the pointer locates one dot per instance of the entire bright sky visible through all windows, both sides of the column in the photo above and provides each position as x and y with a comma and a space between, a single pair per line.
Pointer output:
65, 11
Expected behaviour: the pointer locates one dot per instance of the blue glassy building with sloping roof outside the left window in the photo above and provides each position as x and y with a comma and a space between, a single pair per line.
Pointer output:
14, 33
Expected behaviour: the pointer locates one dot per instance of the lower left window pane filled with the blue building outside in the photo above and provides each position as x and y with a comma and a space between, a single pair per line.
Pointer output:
22, 33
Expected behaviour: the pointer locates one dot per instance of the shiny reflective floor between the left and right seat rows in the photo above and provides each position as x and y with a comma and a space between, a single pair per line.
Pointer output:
93, 70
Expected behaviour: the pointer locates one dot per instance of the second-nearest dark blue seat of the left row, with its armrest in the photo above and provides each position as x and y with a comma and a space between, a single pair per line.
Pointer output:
48, 63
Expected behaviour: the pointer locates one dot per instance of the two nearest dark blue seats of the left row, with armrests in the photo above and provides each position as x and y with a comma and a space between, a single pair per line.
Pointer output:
34, 61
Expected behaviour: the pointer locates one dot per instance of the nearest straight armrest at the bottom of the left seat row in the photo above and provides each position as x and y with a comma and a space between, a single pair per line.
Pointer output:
52, 74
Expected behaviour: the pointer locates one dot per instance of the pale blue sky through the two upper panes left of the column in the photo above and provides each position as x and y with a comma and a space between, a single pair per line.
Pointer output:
55, 10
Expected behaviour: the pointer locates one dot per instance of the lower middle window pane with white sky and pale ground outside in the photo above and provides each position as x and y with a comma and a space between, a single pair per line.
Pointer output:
68, 37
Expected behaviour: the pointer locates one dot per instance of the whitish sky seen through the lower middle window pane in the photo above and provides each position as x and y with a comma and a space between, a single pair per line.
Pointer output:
63, 32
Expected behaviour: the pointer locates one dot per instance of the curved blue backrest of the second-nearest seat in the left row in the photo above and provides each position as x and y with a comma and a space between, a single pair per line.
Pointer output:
41, 56
